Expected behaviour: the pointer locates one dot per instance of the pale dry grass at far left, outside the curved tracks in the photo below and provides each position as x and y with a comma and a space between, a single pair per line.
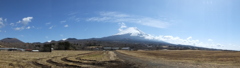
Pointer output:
24, 59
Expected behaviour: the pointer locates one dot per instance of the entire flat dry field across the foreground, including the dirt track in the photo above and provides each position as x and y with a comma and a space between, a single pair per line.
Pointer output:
120, 59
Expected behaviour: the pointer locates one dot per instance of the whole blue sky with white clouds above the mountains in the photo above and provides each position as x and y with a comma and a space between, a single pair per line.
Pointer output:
203, 23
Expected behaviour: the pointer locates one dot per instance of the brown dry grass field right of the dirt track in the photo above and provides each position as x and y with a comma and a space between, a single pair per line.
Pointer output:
215, 57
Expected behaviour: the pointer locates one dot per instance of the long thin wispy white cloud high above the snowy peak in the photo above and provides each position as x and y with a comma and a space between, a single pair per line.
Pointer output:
119, 17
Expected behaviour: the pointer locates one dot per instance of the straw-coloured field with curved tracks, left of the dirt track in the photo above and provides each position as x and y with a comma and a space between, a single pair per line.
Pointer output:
58, 59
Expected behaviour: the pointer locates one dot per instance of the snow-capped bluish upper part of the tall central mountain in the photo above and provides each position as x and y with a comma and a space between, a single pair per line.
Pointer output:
131, 35
